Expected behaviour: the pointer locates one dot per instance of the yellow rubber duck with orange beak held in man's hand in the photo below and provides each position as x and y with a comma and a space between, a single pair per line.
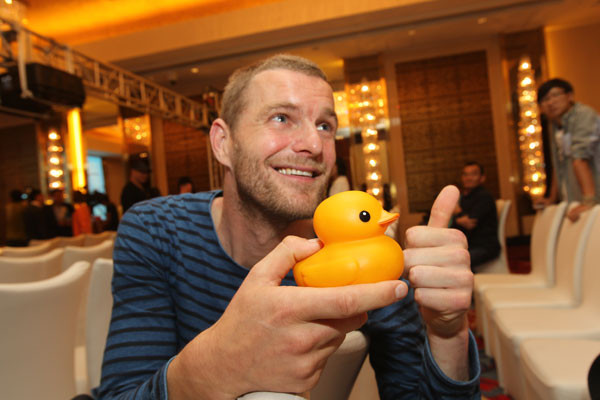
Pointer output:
355, 250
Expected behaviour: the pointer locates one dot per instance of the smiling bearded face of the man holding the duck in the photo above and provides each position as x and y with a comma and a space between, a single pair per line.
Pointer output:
283, 145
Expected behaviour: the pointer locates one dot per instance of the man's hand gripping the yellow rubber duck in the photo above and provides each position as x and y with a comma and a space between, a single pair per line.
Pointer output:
271, 337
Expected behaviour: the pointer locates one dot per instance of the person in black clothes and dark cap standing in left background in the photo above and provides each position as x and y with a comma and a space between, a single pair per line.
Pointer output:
137, 188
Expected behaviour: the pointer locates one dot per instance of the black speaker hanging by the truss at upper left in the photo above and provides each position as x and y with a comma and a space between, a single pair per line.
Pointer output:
49, 86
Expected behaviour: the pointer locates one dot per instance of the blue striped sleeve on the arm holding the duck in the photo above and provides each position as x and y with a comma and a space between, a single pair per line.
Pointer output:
142, 335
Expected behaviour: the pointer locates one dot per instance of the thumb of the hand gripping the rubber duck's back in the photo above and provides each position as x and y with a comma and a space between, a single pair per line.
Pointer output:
275, 265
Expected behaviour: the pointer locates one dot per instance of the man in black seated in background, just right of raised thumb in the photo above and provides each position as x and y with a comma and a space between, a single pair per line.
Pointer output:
476, 216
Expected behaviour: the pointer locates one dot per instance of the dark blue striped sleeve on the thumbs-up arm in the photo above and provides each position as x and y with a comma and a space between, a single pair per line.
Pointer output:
400, 356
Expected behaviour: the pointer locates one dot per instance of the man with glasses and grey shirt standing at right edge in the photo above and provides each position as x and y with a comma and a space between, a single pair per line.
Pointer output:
575, 134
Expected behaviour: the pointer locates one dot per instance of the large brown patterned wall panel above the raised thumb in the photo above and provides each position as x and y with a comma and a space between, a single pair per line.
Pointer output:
446, 119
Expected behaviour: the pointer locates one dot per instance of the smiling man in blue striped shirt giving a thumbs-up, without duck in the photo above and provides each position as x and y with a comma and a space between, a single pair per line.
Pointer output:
205, 305
